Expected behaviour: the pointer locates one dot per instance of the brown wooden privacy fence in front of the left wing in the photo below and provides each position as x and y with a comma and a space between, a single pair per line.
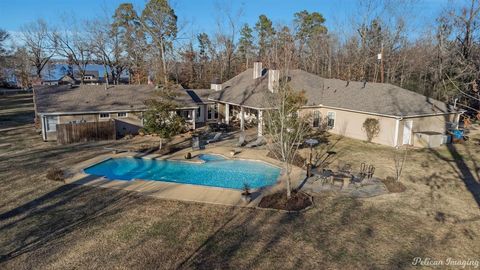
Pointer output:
84, 132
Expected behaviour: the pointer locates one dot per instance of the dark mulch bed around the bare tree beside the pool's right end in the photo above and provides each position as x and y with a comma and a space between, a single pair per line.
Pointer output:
297, 201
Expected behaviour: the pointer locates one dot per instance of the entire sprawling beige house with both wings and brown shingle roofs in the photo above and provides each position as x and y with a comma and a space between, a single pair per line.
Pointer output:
405, 117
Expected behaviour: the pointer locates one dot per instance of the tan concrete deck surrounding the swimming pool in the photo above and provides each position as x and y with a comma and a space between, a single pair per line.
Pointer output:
185, 192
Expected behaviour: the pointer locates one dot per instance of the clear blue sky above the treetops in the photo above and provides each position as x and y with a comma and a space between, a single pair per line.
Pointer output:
199, 15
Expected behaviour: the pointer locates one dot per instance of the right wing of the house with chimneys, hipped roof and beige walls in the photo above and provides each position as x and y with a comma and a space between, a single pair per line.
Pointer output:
341, 106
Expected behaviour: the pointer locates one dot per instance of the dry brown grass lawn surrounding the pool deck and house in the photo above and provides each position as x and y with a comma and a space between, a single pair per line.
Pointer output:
49, 225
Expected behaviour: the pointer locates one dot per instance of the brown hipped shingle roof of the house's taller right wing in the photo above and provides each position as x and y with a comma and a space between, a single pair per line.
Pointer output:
375, 98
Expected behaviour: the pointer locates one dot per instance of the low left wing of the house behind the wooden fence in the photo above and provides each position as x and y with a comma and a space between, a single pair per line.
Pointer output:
125, 103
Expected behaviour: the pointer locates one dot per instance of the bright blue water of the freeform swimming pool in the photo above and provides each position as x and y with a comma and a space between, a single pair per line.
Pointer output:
215, 171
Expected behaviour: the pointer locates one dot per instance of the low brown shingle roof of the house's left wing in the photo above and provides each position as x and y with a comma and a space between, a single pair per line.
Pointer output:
95, 98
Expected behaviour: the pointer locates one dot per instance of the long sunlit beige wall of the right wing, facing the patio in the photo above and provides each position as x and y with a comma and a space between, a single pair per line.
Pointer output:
350, 124
